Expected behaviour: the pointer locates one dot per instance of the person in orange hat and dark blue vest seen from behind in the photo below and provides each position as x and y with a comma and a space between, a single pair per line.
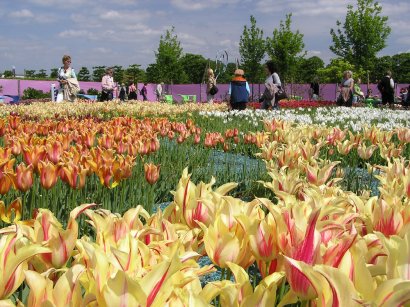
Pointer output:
238, 91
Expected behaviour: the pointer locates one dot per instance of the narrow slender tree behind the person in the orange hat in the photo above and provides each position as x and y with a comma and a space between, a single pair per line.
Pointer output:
252, 50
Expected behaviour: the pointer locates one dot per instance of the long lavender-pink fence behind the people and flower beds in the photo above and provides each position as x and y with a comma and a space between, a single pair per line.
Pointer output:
327, 91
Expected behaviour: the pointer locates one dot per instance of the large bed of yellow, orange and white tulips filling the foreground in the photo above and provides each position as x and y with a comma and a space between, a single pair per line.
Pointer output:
303, 224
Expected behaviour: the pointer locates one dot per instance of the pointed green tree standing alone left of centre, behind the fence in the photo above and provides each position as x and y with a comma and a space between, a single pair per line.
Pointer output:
168, 56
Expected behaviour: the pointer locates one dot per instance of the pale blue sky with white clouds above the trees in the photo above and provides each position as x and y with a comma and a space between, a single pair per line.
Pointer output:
35, 34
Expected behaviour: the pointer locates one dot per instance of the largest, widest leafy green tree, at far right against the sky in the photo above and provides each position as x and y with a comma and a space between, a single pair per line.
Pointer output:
363, 34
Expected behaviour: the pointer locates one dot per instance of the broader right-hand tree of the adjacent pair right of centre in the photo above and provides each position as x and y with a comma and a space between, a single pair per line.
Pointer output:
285, 48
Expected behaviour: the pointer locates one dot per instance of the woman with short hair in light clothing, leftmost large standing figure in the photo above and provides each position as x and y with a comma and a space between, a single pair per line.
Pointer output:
68, 80
